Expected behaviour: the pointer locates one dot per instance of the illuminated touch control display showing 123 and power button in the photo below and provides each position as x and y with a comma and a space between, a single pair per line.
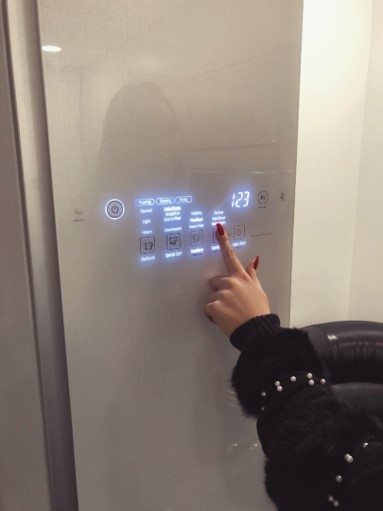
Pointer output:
170, 226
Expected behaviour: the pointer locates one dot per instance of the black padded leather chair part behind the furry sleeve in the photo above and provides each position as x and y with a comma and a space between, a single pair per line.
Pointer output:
353, 354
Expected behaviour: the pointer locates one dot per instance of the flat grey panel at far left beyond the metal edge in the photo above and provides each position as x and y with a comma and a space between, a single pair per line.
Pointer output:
24, 481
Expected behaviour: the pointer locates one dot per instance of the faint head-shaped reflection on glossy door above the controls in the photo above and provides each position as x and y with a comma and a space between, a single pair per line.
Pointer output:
142, 144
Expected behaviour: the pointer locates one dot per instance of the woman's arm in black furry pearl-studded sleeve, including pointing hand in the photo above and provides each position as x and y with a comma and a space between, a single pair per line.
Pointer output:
321, 453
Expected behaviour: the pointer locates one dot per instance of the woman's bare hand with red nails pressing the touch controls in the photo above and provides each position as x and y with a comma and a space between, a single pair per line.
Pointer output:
238, 296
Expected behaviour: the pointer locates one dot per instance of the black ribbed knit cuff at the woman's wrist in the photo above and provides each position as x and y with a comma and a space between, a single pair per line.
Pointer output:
261, 326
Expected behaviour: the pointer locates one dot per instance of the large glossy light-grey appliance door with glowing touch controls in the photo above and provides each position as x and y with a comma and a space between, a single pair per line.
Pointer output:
158, 99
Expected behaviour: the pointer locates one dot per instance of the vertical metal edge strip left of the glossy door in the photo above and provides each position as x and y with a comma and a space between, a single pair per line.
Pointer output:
28, 105
